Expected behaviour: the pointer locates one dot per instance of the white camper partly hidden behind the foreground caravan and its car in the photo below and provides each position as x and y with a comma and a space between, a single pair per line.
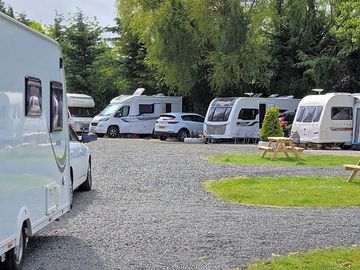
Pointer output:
80, 108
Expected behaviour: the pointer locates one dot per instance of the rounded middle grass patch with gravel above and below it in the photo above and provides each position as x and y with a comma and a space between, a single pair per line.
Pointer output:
285, 191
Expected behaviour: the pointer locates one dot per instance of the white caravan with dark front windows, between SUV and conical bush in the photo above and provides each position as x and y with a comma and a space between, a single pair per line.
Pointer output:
241, 117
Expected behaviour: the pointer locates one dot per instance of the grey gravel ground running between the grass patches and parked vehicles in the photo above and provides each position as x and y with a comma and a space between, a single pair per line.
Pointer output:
148, 210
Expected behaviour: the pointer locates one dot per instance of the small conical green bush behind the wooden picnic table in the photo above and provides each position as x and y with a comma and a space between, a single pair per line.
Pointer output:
271, 125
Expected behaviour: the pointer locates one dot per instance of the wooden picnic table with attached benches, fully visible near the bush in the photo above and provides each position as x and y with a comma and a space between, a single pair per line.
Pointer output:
282, 145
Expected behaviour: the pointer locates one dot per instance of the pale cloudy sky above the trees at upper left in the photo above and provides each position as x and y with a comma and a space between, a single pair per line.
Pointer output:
44, 10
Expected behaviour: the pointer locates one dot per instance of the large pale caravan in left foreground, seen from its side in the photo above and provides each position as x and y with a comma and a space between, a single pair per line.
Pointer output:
34, 138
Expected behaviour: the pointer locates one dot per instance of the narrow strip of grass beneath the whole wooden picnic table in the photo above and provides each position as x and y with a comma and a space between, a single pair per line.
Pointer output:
306, 159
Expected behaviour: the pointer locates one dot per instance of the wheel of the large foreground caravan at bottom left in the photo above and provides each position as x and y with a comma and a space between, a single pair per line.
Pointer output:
15, 257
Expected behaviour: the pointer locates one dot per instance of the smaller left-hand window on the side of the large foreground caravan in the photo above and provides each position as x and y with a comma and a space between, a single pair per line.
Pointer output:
33, 97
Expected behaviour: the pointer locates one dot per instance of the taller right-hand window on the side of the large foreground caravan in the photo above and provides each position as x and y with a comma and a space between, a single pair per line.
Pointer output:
56, 105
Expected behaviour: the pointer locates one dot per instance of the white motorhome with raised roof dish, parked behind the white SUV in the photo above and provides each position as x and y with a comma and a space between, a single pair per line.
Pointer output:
133, 114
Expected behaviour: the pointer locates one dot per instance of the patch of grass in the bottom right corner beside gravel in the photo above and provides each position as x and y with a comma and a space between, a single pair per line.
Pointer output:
341, 258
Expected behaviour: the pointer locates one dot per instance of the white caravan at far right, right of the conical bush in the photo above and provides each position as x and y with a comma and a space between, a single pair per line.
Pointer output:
333, 118
